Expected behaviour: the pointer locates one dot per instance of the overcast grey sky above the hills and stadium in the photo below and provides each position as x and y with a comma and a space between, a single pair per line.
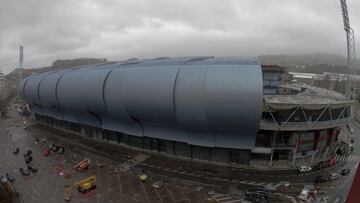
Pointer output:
121, 29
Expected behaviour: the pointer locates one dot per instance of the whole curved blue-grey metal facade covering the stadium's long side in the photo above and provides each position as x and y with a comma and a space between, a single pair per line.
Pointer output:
213, 102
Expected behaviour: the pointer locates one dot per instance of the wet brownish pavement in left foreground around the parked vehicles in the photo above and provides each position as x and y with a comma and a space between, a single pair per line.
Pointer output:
113, 185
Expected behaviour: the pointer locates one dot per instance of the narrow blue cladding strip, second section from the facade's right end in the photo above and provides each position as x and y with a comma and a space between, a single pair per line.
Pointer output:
189, 105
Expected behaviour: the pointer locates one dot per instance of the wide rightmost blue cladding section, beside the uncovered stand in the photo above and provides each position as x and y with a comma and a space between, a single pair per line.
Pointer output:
232, 105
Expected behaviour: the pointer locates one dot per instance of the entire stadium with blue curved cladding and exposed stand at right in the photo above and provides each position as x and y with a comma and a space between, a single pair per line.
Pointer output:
225, 110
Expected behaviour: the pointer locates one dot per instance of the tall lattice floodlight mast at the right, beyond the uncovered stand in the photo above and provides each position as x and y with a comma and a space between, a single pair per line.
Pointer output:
351, 57
